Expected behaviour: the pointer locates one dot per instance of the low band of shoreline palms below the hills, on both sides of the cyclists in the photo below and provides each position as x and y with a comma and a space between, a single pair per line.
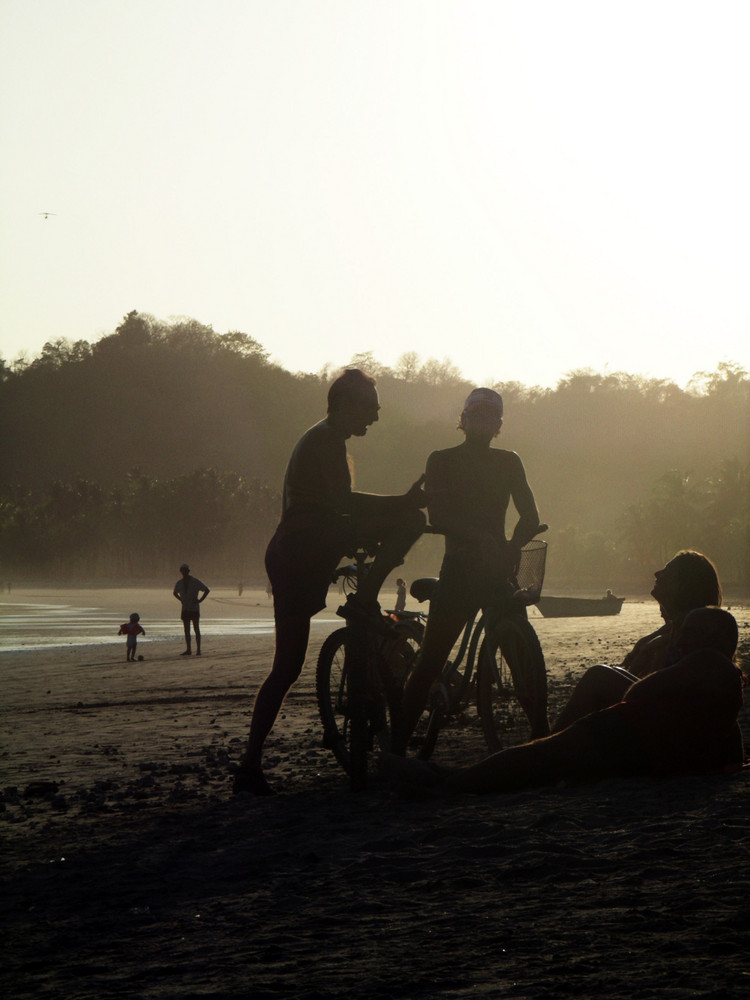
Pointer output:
221, 522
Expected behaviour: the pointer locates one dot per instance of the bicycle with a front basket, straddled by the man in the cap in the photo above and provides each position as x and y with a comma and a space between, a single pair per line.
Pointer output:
501, 647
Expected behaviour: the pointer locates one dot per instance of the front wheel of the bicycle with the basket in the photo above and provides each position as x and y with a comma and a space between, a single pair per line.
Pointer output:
512, 685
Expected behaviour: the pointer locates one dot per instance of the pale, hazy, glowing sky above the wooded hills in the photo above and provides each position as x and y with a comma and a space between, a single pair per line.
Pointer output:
525, 188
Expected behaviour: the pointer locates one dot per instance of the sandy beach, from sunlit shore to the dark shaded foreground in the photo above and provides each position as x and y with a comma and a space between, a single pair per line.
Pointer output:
128, 870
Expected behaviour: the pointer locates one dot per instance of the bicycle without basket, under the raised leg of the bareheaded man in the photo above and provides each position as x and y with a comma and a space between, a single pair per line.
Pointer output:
360, 674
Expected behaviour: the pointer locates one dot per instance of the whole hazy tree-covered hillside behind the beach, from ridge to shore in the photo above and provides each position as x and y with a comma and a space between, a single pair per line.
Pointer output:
175, 437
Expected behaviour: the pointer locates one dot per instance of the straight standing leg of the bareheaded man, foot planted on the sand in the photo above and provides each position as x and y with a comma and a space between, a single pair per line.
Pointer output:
292, 636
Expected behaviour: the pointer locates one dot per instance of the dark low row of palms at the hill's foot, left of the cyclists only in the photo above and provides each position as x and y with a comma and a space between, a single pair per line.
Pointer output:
141, 531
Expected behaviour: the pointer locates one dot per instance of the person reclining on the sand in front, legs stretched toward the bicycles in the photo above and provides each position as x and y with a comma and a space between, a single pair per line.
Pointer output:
678, 720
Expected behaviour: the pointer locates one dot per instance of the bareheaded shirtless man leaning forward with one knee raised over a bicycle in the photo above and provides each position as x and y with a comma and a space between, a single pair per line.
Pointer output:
321, 520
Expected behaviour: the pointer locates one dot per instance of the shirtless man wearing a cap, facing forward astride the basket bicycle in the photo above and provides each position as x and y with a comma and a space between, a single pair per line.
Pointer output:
468, 489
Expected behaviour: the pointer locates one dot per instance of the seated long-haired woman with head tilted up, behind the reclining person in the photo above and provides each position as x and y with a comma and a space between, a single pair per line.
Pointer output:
688, 581
